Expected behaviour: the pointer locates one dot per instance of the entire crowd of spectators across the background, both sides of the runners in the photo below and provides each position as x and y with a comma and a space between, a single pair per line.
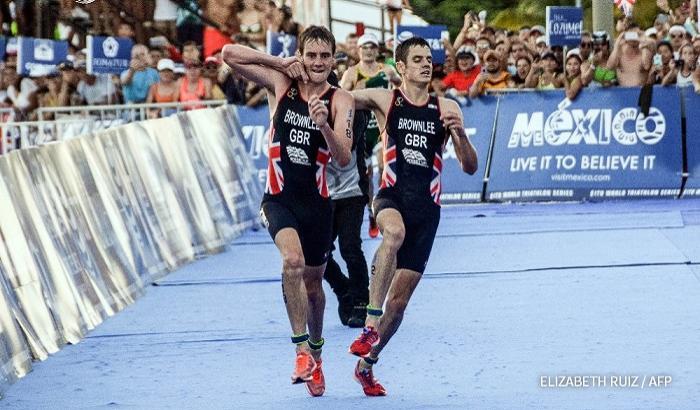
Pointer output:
177, 54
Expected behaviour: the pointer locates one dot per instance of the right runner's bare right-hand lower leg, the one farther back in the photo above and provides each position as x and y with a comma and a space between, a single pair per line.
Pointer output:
402, 287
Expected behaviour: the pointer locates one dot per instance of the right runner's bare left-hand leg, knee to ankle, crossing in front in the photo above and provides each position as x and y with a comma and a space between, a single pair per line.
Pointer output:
384, 263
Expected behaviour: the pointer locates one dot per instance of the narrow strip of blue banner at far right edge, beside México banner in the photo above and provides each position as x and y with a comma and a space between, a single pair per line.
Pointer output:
692, 113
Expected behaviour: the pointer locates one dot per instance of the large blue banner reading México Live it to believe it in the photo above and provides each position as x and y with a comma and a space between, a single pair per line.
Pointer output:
599, 147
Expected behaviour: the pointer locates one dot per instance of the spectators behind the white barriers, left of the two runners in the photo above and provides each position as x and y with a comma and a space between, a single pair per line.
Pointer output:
176, 56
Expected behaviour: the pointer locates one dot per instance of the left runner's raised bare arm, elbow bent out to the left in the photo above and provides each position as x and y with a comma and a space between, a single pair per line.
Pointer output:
268, 71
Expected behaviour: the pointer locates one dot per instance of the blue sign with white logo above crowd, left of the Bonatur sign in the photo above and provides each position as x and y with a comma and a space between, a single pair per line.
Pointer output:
39, 57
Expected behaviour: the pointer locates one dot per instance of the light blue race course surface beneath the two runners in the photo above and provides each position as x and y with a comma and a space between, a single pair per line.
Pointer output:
514, 296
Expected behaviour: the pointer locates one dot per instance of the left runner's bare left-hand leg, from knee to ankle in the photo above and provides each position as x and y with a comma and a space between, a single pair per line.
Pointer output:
293, 291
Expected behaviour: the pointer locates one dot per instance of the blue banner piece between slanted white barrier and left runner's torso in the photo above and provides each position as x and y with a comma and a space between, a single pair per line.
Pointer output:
255, 124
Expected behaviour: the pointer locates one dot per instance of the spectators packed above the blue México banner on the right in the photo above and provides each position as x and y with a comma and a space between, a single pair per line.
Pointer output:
484, 58
